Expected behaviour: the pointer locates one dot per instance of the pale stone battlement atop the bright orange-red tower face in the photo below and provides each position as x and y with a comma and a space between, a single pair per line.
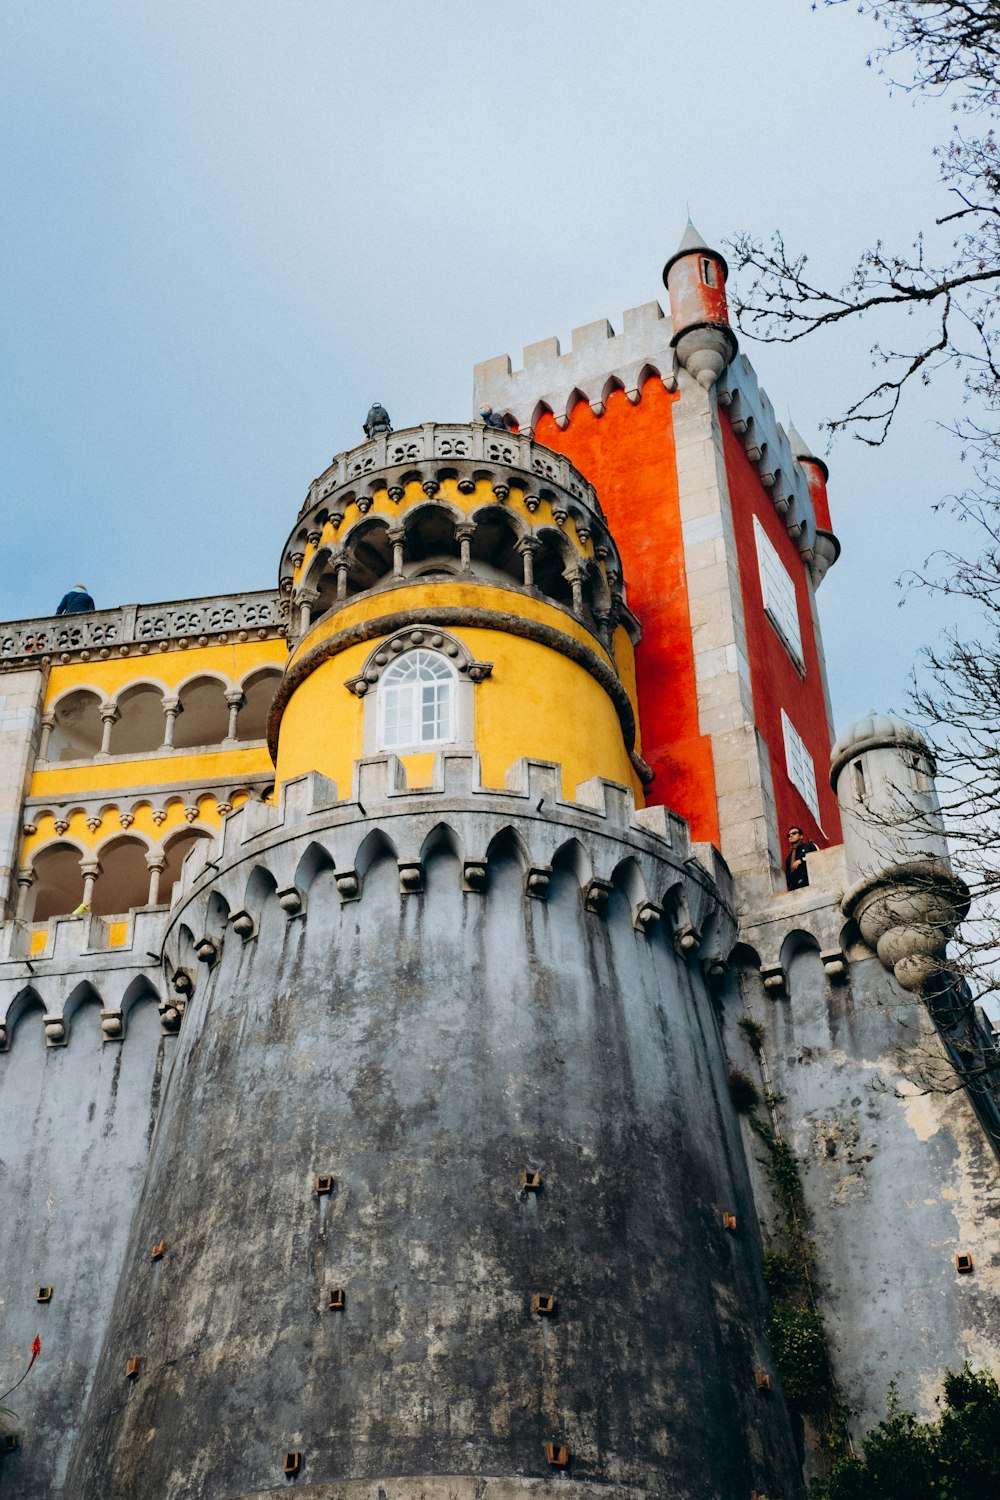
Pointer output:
599, 362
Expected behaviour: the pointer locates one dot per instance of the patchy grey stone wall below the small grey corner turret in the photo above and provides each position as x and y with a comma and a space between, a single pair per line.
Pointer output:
897, 1172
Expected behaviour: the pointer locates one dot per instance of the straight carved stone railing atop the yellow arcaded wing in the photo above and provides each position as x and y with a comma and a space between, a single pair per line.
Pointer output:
143, 628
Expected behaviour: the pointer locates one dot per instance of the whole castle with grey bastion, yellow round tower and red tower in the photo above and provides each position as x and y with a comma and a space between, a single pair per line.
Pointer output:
383, 959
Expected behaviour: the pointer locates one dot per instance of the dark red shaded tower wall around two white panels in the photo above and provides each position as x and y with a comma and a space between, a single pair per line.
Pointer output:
776, 680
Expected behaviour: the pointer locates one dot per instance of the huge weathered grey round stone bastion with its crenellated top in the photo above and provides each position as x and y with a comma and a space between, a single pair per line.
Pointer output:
392, 1006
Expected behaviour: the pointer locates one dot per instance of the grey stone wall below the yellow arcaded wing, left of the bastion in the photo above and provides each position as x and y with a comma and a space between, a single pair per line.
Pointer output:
76, 1126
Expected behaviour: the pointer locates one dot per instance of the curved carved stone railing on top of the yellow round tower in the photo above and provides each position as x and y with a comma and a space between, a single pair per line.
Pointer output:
446, 443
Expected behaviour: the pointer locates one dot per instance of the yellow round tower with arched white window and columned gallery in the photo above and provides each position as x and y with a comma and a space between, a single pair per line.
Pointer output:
454, 587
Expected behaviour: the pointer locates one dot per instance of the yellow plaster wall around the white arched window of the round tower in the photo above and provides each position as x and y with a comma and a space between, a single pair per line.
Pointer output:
537, 703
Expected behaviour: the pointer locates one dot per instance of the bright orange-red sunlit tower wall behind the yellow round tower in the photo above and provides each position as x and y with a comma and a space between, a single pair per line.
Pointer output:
629, 458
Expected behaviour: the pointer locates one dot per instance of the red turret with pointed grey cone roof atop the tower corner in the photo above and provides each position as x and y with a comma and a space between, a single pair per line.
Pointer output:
695, 278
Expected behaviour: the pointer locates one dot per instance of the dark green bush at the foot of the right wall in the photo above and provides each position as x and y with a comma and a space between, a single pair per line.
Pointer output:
954, 1459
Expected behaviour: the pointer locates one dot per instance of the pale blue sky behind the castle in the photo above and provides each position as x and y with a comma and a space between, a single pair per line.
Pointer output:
230, 226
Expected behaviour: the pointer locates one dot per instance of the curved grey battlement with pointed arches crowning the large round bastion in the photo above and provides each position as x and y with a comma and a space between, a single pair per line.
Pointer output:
600, 836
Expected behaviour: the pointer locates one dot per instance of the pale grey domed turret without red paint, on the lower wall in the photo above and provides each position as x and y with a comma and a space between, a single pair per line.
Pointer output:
905, 896
